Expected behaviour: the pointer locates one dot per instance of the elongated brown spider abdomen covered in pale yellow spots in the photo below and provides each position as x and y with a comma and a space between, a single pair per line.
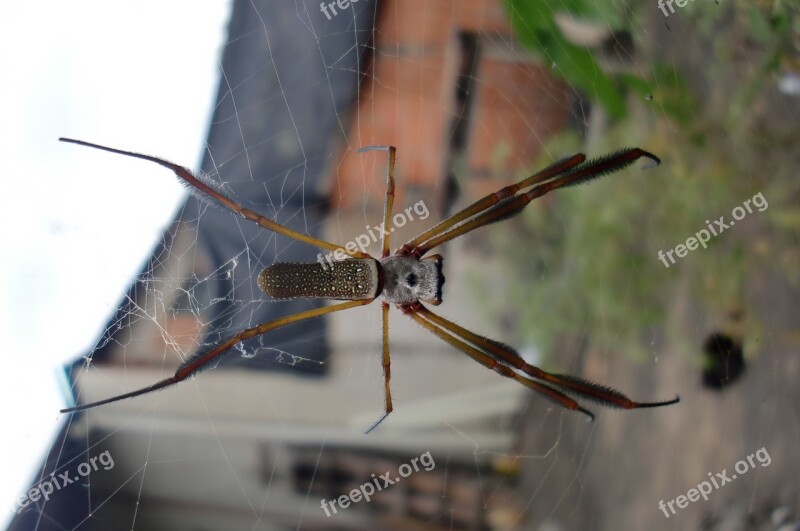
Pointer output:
345, 280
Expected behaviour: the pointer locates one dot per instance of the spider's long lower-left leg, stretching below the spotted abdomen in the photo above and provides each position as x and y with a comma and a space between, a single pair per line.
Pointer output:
200, 361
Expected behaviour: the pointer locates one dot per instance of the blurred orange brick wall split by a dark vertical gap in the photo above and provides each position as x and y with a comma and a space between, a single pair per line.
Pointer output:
407, 100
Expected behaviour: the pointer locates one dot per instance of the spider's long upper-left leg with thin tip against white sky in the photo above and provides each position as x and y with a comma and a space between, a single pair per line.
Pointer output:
207, 189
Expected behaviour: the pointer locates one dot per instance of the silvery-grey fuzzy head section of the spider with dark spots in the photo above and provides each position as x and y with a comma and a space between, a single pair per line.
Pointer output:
408, 279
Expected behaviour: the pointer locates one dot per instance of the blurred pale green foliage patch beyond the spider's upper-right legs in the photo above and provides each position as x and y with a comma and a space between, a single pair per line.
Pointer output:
591, 259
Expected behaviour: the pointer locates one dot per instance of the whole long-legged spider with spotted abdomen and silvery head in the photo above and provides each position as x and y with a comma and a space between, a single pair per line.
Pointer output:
406, 279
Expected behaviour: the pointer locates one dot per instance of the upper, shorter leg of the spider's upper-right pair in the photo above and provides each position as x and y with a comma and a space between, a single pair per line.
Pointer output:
489, 200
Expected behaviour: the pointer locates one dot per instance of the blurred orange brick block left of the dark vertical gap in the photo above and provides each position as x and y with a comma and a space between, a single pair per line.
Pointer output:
406, 101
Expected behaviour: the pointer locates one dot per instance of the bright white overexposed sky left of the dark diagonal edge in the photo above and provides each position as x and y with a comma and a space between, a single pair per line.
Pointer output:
78, 224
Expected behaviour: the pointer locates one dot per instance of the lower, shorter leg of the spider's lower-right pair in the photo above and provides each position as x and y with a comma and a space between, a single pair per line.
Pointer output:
417, 313
